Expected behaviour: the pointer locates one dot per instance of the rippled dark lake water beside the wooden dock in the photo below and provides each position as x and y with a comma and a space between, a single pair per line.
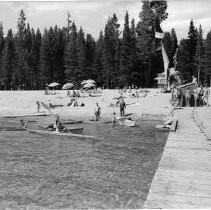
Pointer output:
40, 172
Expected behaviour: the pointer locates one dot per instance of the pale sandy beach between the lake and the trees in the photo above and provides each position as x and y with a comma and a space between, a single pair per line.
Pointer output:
23, 103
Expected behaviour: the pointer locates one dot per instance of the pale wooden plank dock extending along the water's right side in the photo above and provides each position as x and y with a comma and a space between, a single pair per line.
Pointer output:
183, 178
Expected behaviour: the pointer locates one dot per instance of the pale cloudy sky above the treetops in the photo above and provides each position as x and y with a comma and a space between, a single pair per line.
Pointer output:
92, 15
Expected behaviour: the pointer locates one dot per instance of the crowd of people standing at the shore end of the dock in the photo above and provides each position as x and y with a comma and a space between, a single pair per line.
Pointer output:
191, 96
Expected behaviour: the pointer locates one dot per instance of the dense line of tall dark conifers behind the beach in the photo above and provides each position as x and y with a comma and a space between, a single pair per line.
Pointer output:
30, 59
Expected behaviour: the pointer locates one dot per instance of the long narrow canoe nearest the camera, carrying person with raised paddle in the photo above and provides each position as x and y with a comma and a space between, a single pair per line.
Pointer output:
68, 135
